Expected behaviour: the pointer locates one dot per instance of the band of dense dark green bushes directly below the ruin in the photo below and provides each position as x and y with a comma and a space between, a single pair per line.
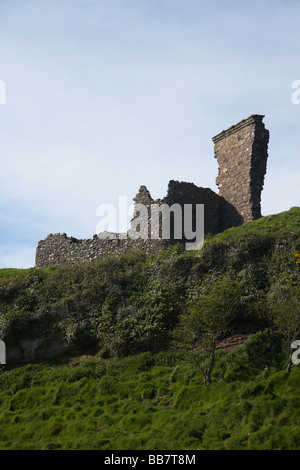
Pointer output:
132, 303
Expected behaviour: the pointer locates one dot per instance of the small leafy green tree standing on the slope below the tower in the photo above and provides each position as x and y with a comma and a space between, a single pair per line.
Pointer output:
208, 320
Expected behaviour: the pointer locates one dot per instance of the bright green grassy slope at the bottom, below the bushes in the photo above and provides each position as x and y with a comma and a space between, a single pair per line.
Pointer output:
152, 402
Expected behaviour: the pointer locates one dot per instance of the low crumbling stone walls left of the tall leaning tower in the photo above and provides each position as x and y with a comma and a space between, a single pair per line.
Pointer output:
60, 250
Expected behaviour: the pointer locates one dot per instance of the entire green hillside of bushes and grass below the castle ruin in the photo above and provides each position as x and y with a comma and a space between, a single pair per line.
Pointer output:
138, 392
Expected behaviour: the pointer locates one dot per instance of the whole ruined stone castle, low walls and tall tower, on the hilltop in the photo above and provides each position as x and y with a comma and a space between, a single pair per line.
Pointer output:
241, 152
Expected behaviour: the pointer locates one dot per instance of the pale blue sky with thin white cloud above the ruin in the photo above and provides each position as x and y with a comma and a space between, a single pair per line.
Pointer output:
103, 96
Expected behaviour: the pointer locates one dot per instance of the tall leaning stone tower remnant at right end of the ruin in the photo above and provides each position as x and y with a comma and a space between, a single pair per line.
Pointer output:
242, 152
